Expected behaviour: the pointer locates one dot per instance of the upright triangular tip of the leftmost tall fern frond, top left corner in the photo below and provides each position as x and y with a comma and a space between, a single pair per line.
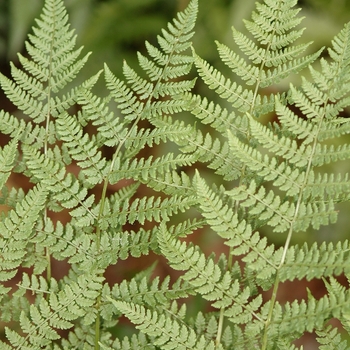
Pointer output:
52, 65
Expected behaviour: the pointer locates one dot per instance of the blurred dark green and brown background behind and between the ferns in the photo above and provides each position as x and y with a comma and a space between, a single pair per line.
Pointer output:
114, 30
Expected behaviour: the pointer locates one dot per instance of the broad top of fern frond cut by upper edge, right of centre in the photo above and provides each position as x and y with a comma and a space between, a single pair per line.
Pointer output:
270, 57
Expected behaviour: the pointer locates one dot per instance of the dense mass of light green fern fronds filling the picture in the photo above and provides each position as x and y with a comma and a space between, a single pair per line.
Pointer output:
97, 198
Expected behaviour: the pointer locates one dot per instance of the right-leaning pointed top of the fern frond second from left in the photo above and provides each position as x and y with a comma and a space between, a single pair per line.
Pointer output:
167, 63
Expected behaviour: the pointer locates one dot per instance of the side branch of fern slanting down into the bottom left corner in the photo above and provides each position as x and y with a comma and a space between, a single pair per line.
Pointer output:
63, 307
